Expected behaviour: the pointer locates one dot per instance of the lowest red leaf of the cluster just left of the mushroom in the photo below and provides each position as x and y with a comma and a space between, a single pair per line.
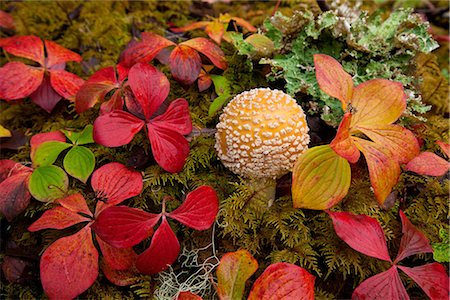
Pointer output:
170, 149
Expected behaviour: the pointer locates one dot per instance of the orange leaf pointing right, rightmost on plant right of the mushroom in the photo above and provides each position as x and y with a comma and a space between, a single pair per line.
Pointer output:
399, 141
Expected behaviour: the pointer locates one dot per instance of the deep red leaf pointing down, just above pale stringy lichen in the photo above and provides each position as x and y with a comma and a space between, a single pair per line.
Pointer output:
163, 251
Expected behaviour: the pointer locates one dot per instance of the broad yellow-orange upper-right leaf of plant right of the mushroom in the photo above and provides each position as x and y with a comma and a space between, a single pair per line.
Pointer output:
377, 102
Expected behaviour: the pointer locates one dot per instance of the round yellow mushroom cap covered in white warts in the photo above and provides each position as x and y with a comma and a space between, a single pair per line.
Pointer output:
261, 133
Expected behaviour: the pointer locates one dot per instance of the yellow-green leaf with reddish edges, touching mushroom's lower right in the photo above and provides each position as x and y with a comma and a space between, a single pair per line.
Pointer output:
320, 178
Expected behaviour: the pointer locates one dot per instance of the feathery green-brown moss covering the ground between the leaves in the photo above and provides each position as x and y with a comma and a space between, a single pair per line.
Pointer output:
99, 31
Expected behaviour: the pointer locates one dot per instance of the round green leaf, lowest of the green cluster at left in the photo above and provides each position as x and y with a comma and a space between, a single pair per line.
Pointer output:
48, 183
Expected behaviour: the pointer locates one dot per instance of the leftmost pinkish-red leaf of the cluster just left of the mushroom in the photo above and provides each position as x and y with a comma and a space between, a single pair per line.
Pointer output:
116, 128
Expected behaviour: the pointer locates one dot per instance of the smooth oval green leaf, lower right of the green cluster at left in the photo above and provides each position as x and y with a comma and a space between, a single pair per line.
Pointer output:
79, 162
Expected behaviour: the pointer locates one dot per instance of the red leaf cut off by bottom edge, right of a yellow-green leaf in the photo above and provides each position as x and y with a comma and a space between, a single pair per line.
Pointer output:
283, 281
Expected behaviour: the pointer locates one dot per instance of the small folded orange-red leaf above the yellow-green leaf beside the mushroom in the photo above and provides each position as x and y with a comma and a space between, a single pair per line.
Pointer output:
343, 144
